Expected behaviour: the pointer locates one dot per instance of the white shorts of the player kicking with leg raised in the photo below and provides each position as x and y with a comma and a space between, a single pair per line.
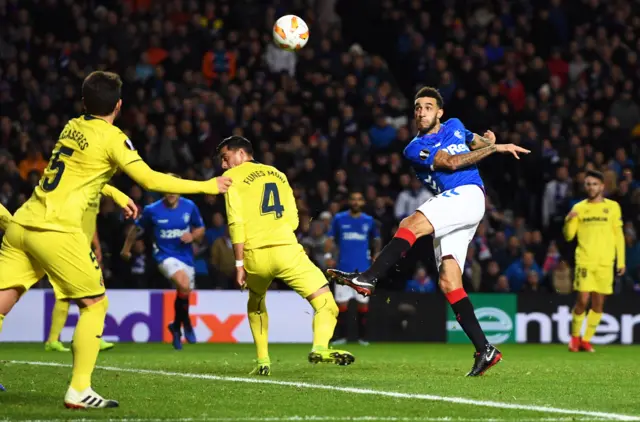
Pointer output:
454, 215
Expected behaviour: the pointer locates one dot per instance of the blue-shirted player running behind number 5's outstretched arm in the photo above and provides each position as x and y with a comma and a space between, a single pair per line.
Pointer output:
175, 223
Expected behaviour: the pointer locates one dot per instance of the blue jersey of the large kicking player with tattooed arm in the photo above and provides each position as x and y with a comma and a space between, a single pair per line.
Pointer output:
452, 138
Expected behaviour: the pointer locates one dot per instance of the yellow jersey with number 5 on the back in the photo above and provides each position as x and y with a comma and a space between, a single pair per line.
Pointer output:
87, 154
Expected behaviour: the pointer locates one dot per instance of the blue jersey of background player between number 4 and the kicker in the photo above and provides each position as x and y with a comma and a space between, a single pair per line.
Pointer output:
352, 235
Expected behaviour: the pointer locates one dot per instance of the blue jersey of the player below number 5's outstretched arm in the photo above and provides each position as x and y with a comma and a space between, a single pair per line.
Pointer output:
168, 225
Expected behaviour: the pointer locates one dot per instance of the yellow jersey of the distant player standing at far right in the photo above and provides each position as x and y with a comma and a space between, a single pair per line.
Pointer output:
599, 229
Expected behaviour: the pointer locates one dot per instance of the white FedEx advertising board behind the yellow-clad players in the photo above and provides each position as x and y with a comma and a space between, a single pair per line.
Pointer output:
143, 315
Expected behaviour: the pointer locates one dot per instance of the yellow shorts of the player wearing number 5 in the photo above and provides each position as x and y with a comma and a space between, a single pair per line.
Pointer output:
27, 254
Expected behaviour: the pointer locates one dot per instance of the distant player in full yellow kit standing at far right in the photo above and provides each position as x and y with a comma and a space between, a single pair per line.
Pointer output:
598, 224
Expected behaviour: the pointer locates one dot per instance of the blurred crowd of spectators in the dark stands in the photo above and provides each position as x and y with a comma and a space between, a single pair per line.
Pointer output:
557, 77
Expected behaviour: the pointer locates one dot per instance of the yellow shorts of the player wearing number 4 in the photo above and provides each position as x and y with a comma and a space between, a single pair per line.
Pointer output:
289, 263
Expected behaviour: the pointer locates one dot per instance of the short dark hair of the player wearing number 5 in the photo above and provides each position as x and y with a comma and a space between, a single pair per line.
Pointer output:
101, 92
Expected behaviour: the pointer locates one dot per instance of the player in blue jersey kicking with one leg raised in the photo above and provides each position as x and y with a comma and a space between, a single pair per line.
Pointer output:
444, 156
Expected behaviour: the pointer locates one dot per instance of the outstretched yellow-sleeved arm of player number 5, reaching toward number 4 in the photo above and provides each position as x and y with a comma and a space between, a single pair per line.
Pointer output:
159, 182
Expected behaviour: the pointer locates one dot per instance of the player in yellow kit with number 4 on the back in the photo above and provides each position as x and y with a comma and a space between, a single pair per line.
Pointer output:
262, 218
